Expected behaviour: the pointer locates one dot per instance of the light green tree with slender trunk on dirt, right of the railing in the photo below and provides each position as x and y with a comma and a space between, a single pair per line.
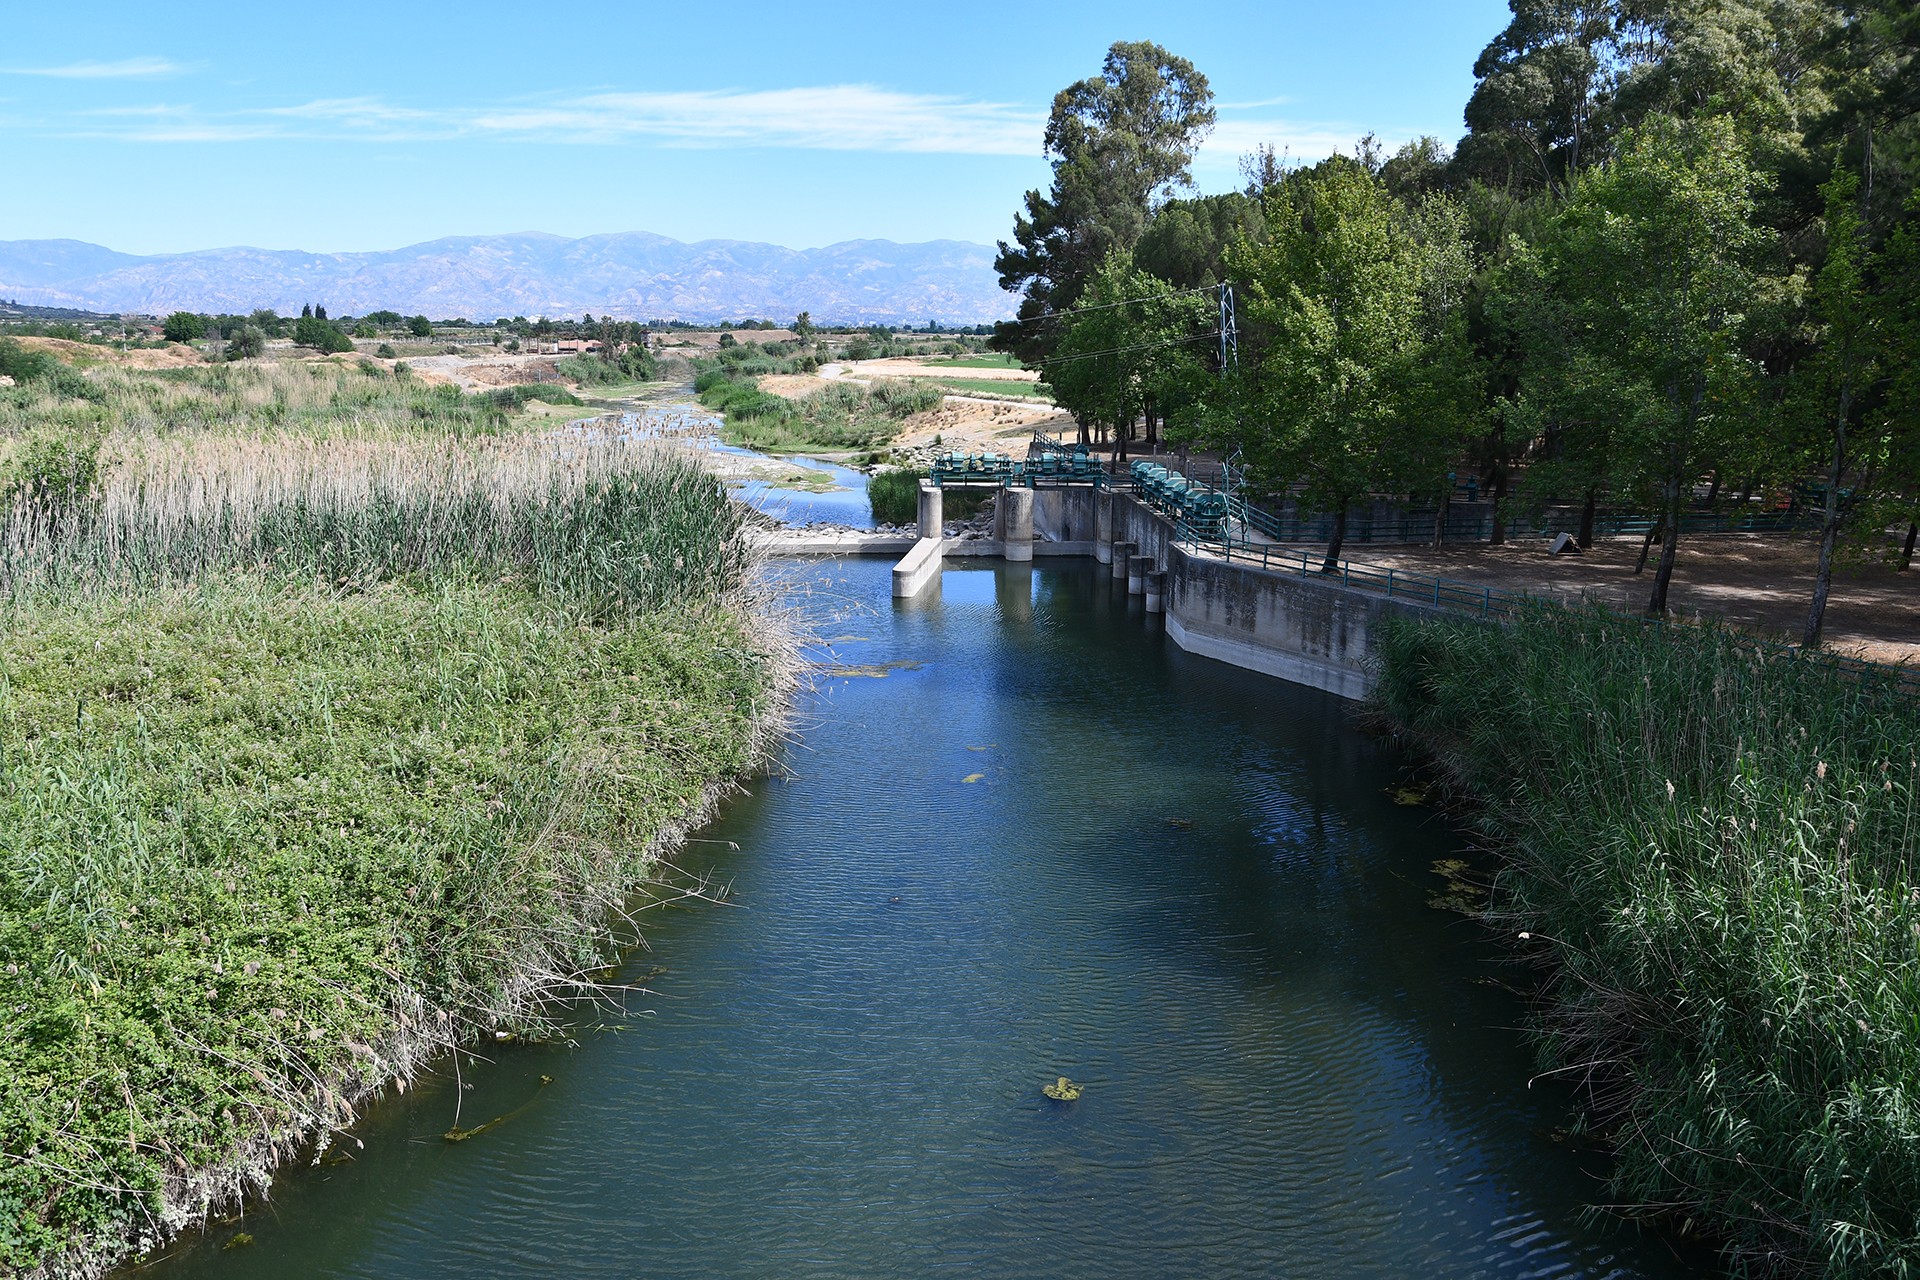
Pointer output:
1650, 270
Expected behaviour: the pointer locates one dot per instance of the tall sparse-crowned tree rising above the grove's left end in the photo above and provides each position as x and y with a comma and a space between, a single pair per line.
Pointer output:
1120, 143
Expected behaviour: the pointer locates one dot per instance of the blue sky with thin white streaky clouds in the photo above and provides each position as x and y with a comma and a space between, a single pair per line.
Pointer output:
345, 126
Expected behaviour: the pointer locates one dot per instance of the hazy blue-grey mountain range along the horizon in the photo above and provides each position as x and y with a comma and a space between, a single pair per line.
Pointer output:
631, 275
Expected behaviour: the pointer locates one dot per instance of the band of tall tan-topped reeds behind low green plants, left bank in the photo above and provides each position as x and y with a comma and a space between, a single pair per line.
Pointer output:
600, 525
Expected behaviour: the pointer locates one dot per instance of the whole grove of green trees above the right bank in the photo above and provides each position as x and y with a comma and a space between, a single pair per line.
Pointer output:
1671, 270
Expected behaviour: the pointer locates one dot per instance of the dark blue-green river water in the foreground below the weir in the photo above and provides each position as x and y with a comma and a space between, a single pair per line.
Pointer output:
1020, 838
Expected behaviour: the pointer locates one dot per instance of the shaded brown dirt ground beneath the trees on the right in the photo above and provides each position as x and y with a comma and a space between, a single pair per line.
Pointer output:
1762, 584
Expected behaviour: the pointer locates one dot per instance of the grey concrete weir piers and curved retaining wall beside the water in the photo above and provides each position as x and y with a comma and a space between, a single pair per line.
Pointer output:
1297, 627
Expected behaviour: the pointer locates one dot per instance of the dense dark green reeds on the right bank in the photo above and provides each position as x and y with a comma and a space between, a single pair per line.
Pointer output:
1710, 849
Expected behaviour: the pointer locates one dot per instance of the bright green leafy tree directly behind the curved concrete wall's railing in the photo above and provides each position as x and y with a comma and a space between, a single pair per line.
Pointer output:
1341, 394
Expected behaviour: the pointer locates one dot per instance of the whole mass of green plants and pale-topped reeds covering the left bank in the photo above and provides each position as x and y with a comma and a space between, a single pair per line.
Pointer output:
339, 721
